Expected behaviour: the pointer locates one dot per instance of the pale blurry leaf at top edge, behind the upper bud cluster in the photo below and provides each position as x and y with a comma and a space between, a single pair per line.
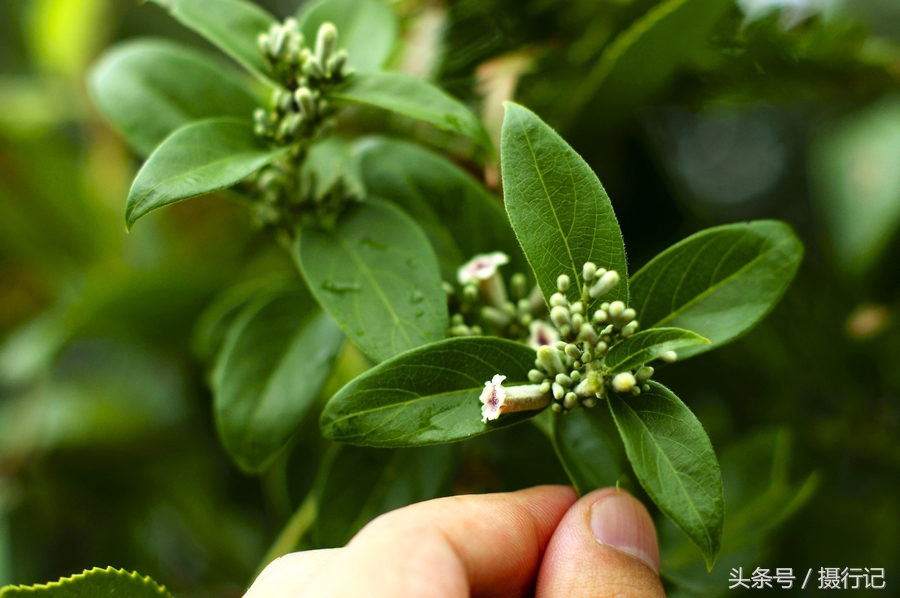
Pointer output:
367, 29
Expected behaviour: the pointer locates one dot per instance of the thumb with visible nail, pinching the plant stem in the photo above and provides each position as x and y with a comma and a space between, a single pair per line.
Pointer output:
604, 547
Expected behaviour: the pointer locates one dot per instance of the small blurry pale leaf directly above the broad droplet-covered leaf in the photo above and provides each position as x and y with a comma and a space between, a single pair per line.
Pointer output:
331, 166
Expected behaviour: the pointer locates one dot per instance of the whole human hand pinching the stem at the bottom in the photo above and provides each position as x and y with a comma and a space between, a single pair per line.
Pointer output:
540, 541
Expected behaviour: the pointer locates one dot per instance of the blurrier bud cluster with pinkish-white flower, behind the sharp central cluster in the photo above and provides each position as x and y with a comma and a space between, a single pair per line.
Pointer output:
486, 304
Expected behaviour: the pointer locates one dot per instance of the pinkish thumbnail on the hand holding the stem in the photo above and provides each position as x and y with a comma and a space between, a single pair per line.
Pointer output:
619, 520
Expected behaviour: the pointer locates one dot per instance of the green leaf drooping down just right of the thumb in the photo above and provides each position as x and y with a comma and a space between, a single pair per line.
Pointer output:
675, 463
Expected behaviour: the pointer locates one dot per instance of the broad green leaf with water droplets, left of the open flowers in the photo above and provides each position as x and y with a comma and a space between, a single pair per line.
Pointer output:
378, 278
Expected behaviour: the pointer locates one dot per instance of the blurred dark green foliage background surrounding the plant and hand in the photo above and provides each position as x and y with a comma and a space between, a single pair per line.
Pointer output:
789, 109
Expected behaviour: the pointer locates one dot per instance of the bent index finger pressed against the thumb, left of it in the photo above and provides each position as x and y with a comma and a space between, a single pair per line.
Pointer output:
487, 545
